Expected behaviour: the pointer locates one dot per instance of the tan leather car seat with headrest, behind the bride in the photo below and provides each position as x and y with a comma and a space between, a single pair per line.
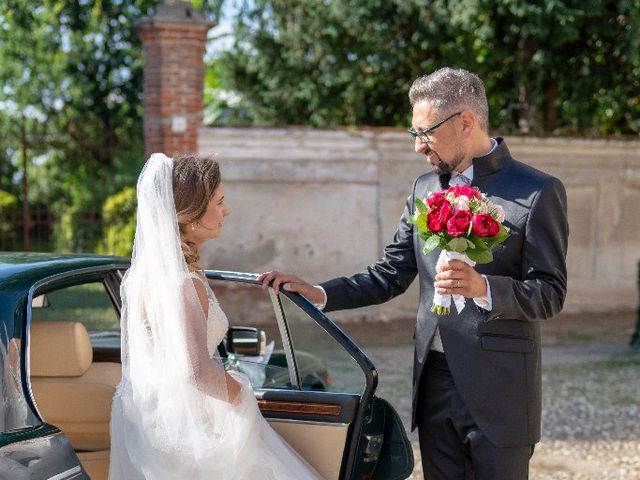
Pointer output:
73, 393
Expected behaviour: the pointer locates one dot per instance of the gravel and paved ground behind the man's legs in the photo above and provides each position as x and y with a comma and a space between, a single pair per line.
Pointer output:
591, 392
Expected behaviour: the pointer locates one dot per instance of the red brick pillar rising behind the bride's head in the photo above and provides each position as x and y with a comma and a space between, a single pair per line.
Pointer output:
174, 43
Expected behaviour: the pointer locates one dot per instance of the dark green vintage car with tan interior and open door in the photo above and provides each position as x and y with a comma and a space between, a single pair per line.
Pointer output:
59, 366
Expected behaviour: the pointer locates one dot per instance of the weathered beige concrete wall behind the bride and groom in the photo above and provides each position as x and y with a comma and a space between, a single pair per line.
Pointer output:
323, 203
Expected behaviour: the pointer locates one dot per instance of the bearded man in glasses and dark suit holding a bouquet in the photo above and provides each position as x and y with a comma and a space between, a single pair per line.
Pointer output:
476, 375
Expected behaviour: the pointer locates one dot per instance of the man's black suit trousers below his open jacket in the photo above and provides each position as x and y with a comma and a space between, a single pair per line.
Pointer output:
451, 444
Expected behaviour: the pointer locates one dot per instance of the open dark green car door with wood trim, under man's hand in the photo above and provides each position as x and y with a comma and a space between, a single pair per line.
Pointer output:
313, 384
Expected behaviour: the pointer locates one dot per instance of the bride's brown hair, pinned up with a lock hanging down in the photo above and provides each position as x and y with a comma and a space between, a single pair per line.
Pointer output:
195, 179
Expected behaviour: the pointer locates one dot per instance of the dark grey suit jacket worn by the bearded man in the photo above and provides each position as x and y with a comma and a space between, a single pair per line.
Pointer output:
494, 356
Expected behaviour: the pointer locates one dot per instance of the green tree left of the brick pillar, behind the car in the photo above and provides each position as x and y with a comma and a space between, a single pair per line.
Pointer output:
72, 78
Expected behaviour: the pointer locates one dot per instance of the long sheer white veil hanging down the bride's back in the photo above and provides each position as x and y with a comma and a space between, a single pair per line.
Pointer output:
170, 386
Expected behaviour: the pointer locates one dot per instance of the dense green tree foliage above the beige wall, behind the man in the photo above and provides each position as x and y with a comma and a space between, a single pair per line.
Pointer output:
552, 66
